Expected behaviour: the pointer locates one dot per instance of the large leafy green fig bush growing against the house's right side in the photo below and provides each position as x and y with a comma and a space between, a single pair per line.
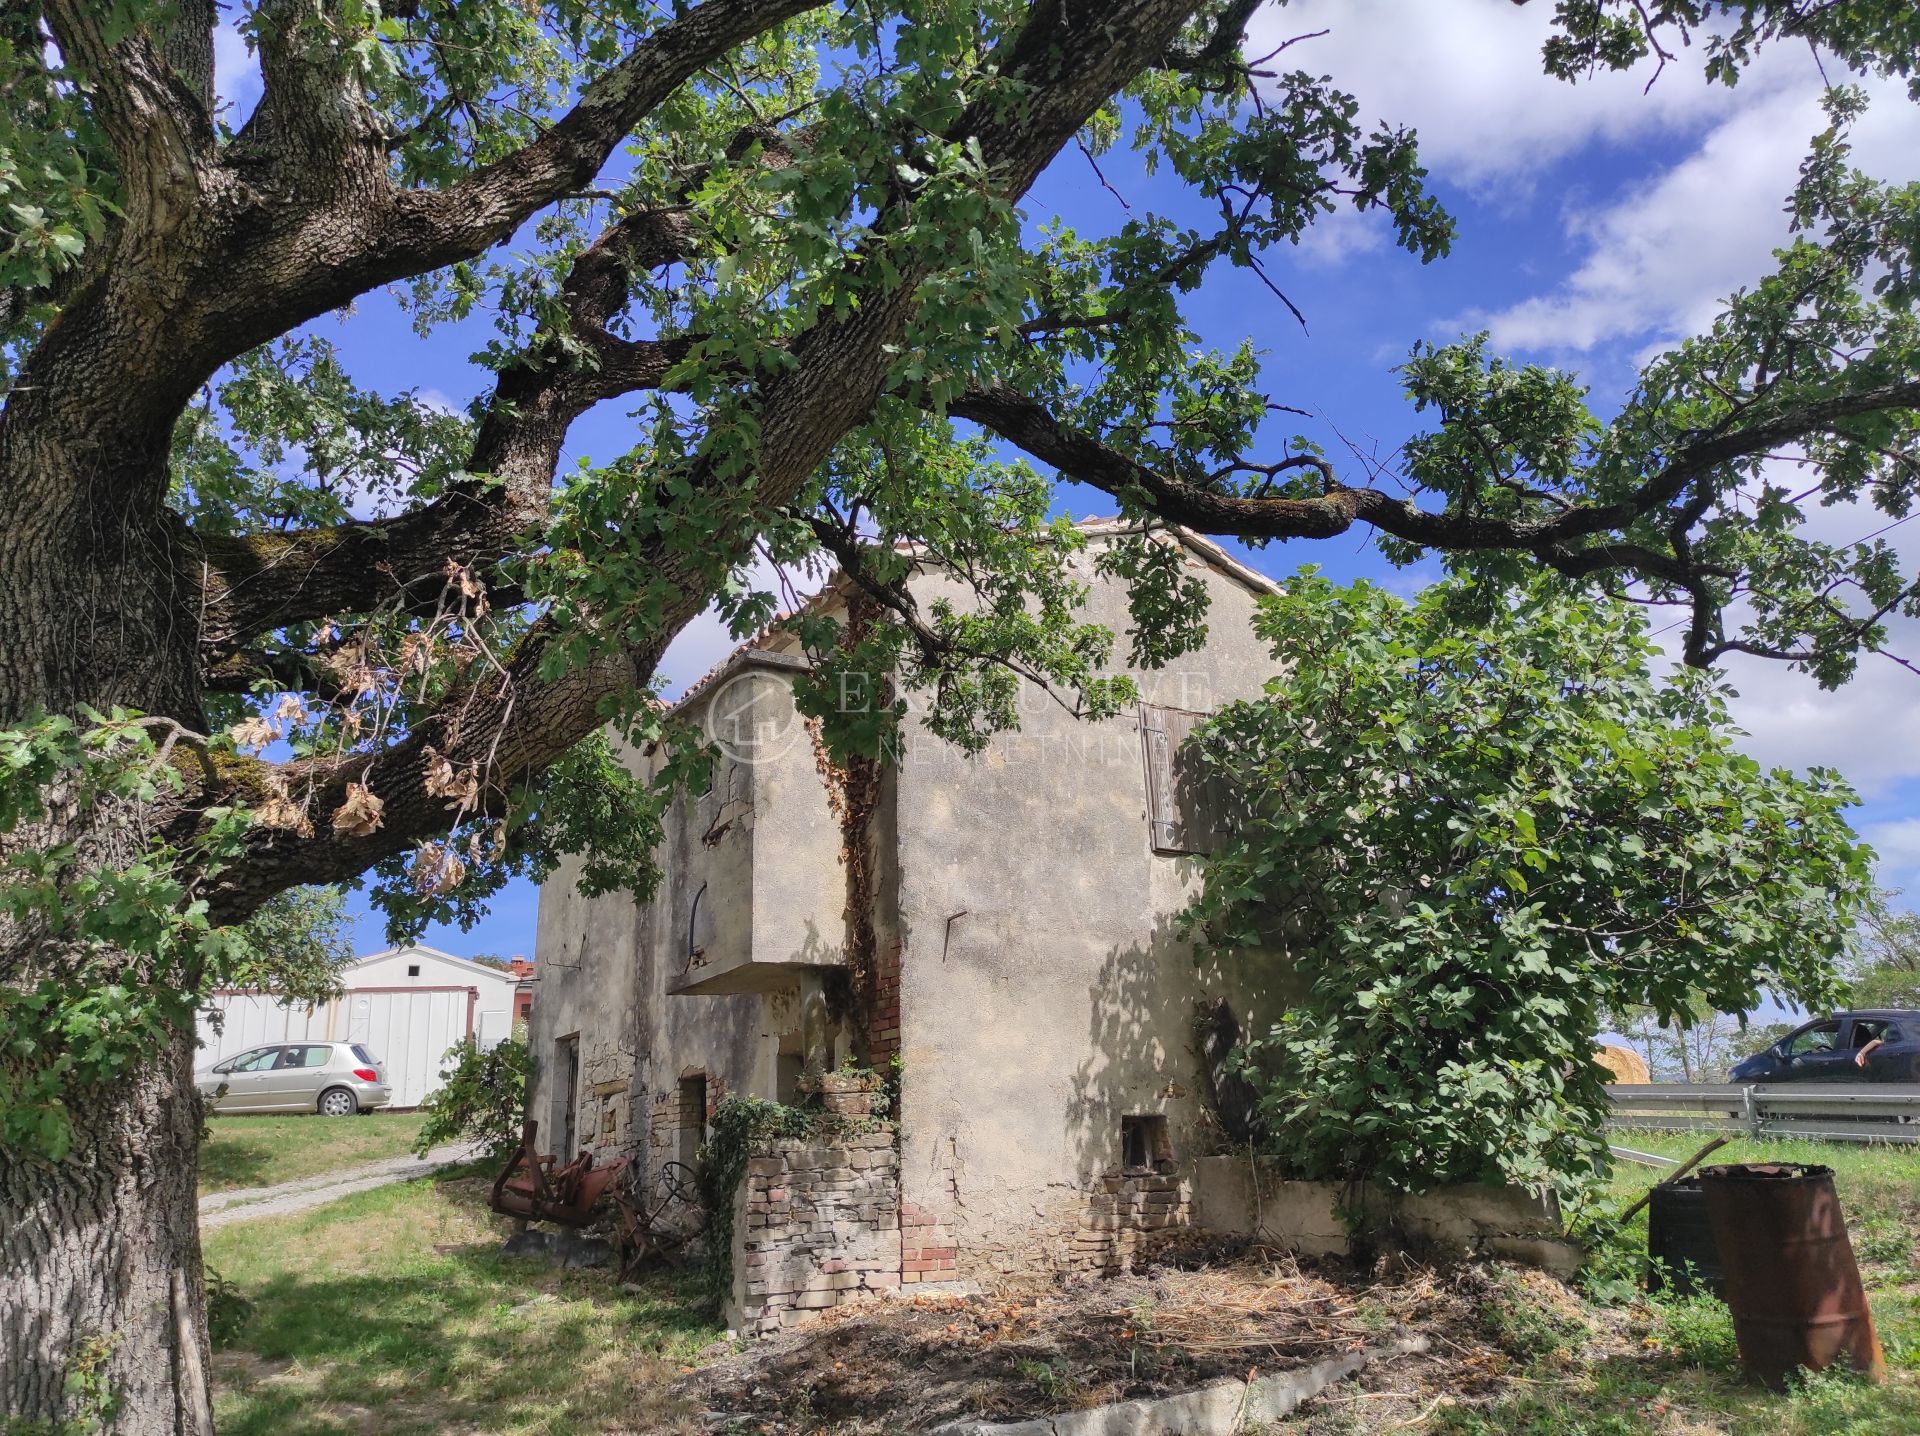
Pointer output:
1476, 828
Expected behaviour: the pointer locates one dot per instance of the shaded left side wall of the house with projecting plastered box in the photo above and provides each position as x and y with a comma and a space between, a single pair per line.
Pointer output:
750, 886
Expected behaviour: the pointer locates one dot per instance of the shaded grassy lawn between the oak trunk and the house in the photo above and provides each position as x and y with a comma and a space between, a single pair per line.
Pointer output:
393, 1312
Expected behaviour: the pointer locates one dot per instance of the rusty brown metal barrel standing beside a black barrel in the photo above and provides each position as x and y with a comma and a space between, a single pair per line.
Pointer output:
1790, 1276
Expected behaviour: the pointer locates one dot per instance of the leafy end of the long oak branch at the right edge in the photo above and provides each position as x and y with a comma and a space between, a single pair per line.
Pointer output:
1833, 323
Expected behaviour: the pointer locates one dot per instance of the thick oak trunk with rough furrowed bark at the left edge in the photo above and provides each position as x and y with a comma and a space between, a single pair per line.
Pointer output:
105, 1310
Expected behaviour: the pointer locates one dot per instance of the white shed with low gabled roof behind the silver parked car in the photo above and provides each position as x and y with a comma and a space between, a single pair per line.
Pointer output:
406, 1005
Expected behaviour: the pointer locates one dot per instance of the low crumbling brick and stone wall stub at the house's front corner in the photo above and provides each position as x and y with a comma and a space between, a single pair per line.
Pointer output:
817, 1222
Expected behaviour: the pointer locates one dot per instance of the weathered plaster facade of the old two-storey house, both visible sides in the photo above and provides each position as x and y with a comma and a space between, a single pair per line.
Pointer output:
1003, 922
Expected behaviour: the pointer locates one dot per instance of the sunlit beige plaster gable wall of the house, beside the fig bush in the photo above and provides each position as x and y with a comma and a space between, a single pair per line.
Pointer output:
1044, 988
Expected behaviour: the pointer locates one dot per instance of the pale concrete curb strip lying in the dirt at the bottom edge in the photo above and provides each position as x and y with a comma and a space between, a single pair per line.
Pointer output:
1218, 1410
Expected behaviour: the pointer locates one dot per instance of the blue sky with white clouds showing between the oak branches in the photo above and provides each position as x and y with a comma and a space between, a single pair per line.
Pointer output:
1596, 224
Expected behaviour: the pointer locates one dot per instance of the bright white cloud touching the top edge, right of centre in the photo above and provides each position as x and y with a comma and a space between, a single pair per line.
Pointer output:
1468, 78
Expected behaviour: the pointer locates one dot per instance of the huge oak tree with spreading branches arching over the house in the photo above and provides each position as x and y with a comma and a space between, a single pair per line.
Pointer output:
264, 629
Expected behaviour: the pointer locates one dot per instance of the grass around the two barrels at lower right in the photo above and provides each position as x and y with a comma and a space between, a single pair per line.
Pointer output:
1673, 1368
